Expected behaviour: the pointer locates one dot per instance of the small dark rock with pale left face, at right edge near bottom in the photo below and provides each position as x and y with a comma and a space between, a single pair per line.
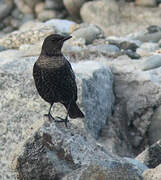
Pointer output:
151, 156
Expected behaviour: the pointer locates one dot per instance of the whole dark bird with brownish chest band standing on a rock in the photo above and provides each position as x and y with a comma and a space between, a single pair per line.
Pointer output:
55, 79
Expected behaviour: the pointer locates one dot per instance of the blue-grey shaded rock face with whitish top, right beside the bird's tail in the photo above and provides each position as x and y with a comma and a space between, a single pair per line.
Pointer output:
97, 102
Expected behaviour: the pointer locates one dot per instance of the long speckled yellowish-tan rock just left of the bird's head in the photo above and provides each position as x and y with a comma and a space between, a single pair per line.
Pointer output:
17, 38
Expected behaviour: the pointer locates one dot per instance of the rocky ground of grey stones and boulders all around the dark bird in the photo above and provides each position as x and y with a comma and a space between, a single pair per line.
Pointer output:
119, 91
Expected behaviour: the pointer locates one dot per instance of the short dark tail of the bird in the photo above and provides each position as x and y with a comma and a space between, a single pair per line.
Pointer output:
74, 111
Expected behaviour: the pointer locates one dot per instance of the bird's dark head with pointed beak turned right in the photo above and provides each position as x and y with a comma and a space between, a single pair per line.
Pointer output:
53, 43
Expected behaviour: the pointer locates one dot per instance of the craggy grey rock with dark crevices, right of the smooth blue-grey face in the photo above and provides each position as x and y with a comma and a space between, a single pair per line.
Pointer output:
137, 96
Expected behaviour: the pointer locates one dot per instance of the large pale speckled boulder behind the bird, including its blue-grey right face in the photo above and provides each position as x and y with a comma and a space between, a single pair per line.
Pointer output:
21, 105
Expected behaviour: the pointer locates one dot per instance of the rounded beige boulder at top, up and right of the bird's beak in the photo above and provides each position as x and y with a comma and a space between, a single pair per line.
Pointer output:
90, 13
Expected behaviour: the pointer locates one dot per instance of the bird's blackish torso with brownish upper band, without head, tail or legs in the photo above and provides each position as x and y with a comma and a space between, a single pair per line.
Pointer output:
55, 79
